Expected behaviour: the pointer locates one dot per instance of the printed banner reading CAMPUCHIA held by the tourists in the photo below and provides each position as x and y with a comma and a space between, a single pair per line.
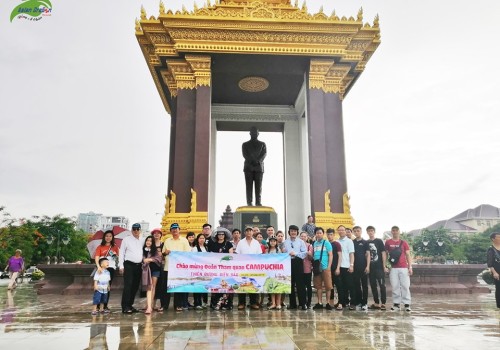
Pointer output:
228, 273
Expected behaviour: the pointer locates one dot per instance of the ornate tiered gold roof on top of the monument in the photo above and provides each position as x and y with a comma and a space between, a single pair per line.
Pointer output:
272, 27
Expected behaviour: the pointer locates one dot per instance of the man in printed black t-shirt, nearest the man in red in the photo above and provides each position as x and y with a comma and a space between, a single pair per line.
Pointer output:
378, 258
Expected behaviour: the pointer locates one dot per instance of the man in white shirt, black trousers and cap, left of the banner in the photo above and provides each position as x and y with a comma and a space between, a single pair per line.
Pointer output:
130, 264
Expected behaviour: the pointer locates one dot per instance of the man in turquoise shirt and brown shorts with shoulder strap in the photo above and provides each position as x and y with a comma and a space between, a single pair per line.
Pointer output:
323, 253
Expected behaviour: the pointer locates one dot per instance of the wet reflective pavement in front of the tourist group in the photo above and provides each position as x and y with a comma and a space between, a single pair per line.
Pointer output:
29, 321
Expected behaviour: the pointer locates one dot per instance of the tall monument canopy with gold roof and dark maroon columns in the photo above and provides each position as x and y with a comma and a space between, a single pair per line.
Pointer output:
270, 64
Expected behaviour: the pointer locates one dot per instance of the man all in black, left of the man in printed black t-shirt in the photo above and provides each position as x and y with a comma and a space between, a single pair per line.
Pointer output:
361, 269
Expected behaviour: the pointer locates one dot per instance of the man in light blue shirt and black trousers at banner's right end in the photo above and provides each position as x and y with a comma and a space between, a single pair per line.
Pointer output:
297, 250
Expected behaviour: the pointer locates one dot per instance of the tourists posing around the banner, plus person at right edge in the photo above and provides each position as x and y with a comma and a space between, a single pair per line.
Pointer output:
348, 264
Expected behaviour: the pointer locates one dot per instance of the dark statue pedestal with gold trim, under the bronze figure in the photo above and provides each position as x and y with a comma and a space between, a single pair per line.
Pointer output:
251, 216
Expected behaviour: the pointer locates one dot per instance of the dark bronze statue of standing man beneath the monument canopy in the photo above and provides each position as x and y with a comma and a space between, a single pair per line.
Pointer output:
254, 152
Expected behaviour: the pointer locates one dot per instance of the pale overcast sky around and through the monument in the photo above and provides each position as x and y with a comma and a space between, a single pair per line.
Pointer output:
82, 127
